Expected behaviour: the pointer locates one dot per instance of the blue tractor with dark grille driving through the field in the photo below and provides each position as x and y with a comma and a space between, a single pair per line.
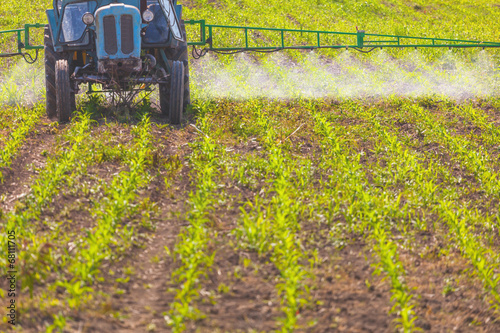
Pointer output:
125, 45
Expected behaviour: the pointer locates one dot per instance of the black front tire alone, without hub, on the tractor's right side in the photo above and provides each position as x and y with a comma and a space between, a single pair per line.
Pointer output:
176, 100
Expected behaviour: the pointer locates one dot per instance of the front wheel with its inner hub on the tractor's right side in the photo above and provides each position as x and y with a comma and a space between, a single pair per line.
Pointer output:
175, 106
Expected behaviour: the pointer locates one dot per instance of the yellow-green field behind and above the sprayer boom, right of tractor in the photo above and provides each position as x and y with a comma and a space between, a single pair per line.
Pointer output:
459, 20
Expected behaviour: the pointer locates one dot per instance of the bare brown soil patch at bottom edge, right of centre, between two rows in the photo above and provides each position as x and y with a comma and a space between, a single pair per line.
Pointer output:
348, 296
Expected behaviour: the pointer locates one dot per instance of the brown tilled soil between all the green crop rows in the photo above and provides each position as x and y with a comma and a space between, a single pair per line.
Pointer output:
239, 291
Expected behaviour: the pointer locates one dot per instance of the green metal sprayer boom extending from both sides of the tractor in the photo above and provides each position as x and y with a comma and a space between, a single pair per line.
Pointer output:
276, 39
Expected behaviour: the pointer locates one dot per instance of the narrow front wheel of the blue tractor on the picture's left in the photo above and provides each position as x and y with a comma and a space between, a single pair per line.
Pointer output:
64, 97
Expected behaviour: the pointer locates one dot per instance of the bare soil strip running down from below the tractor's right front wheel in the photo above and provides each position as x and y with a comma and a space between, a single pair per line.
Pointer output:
142, 301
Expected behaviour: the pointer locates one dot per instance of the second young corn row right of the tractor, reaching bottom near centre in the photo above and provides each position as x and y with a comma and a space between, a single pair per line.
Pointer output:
272, 224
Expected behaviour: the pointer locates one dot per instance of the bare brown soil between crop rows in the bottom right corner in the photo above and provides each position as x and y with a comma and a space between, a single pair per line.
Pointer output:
445, 286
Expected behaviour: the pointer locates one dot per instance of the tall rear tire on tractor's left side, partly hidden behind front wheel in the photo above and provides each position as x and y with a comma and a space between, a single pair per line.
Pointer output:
51, 58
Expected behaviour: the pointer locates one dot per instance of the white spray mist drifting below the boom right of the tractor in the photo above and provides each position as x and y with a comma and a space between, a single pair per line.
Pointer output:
346, 76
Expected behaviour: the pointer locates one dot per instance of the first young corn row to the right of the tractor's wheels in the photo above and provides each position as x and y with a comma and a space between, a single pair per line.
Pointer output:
191, 250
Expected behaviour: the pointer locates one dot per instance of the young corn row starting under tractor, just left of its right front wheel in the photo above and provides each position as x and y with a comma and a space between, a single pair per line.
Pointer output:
110, 236
